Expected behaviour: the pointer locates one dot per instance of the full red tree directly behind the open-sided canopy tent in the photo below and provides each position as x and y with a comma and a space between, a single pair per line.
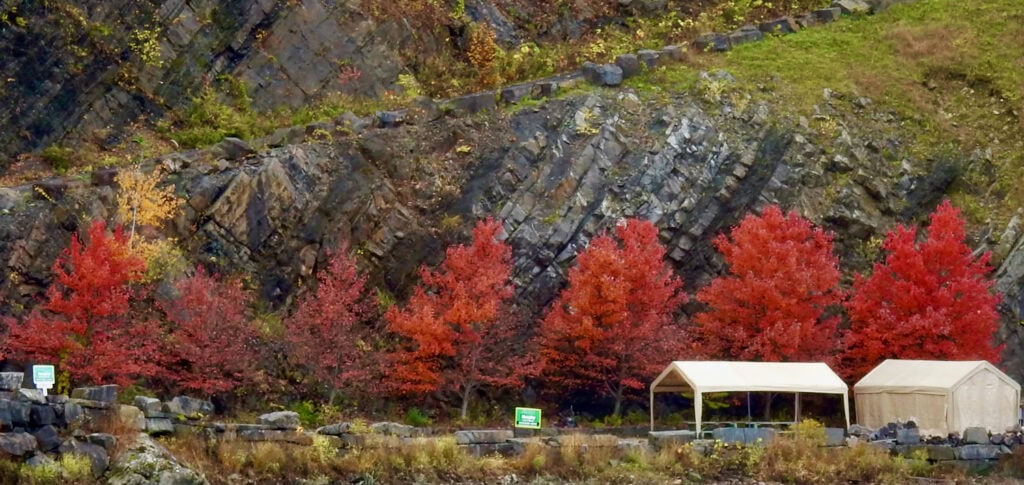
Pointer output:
771, 307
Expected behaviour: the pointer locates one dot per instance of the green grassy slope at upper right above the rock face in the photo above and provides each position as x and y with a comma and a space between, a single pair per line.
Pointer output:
952, 70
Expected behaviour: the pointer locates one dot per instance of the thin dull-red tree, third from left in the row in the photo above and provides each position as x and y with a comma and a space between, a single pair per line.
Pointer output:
327, 334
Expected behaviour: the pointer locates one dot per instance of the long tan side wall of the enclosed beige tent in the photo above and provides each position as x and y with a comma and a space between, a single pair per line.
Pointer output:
928, 411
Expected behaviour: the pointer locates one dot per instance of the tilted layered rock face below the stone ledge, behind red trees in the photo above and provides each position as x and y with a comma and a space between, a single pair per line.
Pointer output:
556, 175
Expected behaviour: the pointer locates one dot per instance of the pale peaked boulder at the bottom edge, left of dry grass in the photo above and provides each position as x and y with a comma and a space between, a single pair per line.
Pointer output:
149, 463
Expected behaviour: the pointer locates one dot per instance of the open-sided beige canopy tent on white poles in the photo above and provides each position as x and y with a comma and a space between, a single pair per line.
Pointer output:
709, 377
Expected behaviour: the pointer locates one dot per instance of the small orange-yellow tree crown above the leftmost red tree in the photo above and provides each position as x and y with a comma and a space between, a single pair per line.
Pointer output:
143, 202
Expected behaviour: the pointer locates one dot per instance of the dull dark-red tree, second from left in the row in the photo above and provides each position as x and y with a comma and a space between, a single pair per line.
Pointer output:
212, 344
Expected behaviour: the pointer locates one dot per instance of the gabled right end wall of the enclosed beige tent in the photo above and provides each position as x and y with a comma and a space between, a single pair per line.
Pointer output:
985, 401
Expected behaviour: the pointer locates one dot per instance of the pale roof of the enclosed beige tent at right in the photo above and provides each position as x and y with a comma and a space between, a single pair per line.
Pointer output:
925, 376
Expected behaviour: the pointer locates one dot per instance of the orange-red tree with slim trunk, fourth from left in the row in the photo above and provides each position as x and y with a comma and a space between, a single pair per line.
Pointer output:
458, 331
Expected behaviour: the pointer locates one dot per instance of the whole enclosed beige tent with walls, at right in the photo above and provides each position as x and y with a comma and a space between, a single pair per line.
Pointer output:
941, 396
